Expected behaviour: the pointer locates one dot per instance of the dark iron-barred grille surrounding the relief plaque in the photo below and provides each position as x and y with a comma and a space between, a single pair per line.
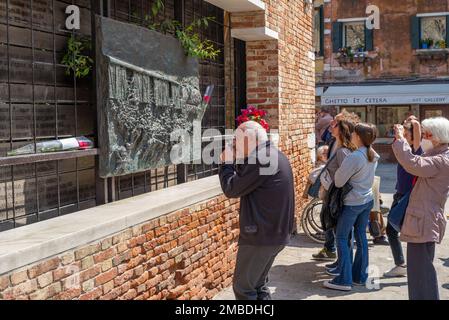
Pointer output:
38, 101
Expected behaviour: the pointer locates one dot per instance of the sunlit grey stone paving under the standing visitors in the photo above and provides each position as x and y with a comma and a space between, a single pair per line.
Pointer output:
295, 276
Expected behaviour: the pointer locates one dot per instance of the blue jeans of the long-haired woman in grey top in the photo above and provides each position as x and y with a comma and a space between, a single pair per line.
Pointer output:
357, 270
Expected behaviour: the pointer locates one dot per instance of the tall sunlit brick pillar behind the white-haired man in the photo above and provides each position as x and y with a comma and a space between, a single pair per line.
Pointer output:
281, 80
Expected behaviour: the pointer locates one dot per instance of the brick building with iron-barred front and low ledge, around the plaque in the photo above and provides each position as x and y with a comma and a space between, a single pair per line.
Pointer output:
168, 233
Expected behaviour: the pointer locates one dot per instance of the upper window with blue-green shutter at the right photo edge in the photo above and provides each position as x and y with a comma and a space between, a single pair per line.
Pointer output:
429, 31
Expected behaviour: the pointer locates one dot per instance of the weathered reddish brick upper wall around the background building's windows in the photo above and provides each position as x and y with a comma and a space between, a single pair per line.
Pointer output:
393, 56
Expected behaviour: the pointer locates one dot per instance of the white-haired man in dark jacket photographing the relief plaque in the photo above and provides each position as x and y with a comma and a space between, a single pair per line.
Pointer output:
263, 180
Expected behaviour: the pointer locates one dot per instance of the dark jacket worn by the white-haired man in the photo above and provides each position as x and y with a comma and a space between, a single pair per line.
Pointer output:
267, 204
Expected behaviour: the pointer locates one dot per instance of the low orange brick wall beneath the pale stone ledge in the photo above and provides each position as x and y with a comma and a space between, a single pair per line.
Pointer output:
188, 254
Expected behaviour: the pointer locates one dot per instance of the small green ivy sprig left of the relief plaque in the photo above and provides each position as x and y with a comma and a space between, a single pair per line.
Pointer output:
75, 59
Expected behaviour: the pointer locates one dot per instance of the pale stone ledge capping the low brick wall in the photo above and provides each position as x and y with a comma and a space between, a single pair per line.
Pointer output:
29, 244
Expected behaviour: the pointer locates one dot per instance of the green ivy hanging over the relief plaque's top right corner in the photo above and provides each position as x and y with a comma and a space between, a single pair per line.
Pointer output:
187, 35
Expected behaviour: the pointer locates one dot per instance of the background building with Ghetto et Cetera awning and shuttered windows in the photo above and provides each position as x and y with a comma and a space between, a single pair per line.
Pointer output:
397, 68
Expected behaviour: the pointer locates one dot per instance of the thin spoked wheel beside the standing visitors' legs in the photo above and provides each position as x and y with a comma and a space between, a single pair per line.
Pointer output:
311, 222
